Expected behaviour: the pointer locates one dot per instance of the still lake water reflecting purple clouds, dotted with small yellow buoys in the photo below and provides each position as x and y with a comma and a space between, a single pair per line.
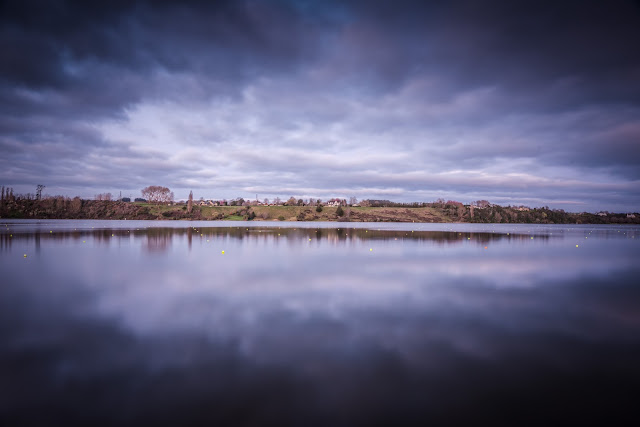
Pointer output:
236, 323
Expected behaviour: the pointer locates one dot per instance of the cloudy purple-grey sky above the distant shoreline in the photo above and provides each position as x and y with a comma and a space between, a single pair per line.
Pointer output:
515, 102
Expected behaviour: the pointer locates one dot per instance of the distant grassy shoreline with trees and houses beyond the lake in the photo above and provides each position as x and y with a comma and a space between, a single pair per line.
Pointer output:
63, 208
